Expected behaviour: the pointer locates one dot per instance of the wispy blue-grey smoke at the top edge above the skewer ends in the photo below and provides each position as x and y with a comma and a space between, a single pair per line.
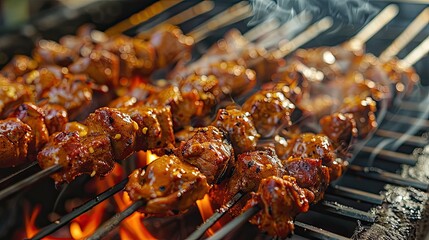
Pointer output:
345, 11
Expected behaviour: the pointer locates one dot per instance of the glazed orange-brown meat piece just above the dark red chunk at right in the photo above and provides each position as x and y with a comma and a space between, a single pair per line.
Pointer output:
310, 145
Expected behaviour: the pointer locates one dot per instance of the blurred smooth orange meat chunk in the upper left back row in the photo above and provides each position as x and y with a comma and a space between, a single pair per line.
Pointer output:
101, 66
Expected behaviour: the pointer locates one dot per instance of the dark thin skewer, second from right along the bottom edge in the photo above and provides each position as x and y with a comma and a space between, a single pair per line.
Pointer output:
215, 217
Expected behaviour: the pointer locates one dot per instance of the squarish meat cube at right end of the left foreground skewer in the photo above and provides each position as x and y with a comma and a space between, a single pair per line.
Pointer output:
155, 129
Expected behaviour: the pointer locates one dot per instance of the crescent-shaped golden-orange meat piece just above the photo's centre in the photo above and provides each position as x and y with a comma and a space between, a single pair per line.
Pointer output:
206, 87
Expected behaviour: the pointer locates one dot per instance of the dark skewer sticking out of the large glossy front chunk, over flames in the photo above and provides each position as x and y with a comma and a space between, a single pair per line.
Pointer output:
113, 222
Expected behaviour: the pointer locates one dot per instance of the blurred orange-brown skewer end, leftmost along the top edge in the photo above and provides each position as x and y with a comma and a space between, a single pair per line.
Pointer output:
141, 16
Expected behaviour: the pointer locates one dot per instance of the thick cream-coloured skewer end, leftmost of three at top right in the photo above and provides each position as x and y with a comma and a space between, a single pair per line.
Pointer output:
378, 22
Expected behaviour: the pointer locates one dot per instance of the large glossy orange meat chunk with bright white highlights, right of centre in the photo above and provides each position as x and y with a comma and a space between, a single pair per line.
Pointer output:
270, 111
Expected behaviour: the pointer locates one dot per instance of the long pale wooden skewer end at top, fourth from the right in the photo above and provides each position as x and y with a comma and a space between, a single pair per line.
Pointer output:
304, 37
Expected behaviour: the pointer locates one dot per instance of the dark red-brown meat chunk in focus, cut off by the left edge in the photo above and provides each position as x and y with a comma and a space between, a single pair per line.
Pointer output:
15, 138
